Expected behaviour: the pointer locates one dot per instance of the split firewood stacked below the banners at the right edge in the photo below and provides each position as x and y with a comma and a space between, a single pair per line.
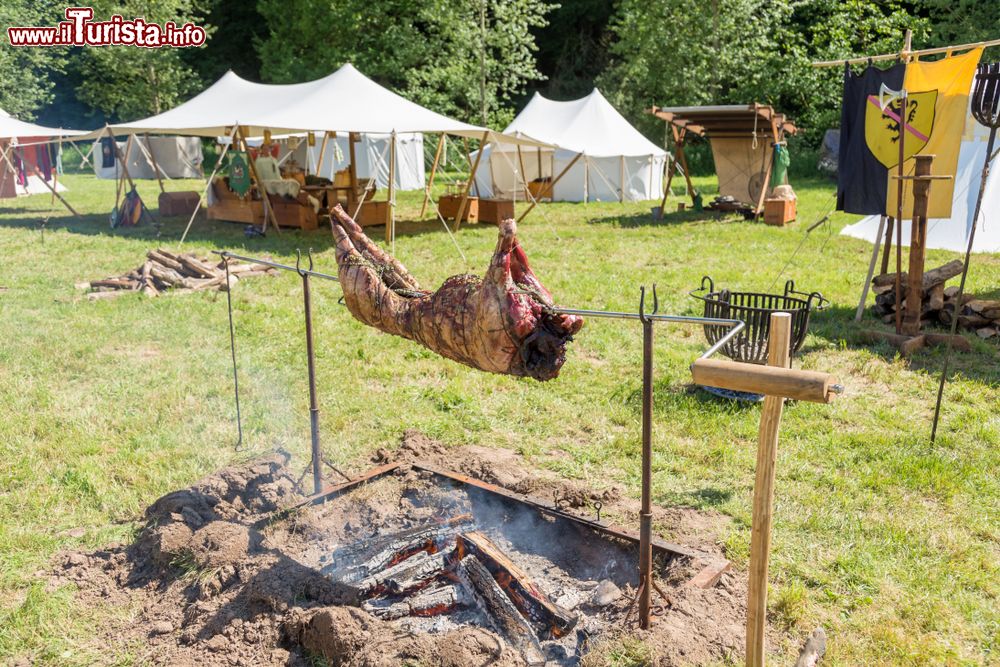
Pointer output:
939, 303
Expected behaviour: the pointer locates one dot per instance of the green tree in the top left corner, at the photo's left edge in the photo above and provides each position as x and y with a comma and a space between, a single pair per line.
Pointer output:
25, 85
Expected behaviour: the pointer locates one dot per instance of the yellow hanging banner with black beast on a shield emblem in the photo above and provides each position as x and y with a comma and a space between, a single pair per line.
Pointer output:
937, 107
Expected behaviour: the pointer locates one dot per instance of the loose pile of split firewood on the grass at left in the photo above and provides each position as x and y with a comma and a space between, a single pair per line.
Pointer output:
178, 272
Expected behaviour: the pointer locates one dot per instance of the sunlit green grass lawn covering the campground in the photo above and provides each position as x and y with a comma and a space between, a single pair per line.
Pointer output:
890, 543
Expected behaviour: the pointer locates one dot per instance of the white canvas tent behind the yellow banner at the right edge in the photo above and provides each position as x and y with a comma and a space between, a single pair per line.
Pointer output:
953, 233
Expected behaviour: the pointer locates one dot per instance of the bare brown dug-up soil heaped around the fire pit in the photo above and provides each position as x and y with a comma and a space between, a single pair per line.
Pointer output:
219, 576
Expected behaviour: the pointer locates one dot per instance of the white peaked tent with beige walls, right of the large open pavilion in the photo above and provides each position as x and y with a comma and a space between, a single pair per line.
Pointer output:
608, 159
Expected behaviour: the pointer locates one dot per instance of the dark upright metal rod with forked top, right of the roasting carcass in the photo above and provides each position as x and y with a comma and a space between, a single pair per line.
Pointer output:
646, 513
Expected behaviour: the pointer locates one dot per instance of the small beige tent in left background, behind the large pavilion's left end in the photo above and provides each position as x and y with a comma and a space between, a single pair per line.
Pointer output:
176, 157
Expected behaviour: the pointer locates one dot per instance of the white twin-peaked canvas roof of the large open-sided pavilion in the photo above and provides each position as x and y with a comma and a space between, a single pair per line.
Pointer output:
344, 102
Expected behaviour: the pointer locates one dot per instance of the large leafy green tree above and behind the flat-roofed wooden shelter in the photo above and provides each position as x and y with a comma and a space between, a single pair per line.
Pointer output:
691, 52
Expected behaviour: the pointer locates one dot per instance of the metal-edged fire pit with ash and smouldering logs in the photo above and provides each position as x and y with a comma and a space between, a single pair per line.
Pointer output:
458, 552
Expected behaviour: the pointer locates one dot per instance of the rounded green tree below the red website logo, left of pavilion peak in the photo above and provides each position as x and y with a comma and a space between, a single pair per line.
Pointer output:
127, 82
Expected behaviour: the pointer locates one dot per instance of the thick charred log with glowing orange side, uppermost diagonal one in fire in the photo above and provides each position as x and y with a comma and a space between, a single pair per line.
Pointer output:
550, 620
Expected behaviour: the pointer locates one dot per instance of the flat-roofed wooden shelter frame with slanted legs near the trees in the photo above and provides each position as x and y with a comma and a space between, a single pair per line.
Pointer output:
754, 122
